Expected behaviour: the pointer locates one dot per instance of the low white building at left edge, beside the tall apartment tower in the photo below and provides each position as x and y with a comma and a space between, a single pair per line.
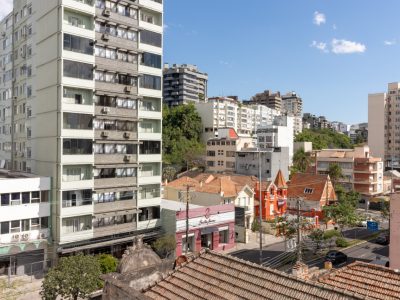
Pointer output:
24, 221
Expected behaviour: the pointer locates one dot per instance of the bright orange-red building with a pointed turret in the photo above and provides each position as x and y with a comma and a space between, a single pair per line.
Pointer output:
274, 198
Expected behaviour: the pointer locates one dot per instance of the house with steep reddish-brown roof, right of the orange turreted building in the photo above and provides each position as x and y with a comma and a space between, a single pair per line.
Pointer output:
314, 190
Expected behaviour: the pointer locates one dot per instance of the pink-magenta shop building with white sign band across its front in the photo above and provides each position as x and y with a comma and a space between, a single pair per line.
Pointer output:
210, 227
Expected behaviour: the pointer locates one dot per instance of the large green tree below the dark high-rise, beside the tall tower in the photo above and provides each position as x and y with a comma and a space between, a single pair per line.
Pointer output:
182, 130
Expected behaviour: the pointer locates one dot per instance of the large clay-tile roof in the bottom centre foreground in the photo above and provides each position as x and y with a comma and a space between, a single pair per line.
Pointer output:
217, 276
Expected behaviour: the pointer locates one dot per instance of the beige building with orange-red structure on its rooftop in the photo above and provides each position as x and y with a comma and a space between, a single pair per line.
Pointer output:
221, 152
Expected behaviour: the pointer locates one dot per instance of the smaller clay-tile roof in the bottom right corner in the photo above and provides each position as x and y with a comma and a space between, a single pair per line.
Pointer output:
368, 280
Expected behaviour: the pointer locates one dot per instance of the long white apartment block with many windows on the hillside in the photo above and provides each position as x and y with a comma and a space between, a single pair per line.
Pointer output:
229, 112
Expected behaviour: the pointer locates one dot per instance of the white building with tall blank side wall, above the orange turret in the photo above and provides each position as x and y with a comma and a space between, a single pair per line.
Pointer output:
279, 134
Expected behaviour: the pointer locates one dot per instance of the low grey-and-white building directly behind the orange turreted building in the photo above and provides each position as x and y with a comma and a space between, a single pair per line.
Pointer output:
272, 161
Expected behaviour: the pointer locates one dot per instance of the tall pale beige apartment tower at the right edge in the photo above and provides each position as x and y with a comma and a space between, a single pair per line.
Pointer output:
384, 125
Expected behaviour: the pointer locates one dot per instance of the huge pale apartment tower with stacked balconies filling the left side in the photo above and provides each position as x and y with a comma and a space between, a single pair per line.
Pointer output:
81, 103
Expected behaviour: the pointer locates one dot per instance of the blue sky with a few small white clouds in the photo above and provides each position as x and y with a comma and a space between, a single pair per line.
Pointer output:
332, 53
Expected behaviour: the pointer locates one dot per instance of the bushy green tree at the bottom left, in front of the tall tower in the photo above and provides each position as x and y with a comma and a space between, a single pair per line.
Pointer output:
74, 277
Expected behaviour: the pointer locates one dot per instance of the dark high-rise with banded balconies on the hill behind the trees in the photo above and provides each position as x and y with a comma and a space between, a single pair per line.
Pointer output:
184, 84
